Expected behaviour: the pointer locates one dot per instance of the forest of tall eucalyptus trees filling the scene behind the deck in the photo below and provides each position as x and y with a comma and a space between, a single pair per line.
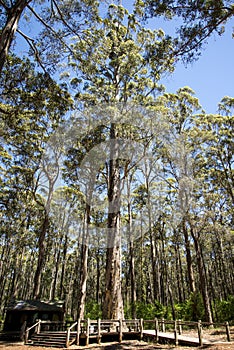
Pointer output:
116, 196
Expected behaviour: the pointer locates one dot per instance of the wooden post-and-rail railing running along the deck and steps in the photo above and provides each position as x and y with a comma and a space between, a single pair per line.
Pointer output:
96, 328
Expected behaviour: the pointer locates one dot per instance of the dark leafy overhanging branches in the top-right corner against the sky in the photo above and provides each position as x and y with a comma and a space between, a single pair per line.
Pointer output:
199, 20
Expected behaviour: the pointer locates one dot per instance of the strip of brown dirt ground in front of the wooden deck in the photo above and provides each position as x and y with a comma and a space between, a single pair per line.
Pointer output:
128, 345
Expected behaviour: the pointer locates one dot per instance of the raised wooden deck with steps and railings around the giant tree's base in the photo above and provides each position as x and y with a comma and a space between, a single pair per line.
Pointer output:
86, 331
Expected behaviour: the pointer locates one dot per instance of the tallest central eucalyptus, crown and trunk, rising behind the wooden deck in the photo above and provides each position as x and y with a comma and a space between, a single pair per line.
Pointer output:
118, 62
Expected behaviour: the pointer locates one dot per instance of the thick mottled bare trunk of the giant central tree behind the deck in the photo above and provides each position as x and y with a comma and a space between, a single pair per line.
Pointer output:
113, 302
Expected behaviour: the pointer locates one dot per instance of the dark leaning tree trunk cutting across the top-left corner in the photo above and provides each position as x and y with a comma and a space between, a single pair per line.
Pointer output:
7, 35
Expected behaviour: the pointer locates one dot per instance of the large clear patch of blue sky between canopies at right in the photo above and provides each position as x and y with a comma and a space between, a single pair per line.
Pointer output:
212, 76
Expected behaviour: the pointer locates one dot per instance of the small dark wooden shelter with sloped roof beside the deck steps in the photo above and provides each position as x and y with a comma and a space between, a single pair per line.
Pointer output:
26, 312
